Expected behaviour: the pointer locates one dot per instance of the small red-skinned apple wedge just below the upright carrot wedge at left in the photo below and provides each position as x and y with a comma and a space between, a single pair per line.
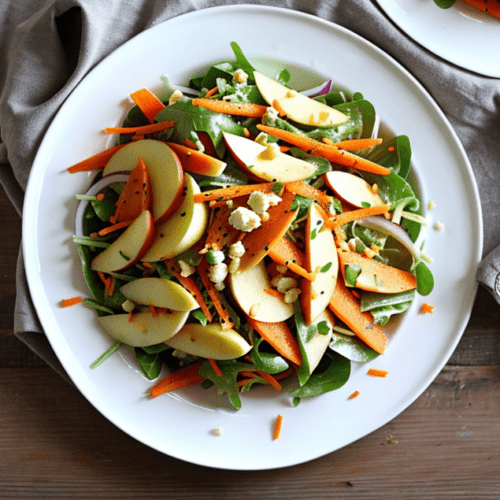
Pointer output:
129, 247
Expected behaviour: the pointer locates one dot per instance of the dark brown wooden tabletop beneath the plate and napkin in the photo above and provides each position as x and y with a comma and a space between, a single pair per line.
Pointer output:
54, 444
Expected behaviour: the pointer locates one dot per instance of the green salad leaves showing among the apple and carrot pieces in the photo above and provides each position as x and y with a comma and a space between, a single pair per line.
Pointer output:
194, 123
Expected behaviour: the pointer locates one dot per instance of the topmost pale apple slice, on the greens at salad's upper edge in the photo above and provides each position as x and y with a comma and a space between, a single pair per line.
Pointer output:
298, 107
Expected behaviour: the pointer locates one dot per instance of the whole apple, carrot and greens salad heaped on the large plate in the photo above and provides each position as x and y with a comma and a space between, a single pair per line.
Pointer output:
243, 233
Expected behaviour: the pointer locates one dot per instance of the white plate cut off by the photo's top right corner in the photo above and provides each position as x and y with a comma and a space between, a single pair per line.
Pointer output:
462, 35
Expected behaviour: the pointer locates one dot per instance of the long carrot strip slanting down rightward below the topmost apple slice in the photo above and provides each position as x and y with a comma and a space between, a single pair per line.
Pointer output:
331, 153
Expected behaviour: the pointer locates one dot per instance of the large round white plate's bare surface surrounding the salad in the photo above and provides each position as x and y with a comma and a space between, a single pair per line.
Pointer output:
180, 425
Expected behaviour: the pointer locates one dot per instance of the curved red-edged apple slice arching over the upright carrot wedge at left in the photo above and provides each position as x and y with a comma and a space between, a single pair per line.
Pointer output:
165, 172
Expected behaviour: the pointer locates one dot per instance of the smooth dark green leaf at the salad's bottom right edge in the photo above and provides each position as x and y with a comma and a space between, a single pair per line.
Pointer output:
332, 373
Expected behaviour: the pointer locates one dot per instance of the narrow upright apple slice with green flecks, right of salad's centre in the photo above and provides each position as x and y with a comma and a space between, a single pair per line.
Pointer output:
320, 258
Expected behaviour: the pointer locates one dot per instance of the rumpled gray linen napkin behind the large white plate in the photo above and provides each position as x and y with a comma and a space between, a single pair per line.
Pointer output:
48, 46
